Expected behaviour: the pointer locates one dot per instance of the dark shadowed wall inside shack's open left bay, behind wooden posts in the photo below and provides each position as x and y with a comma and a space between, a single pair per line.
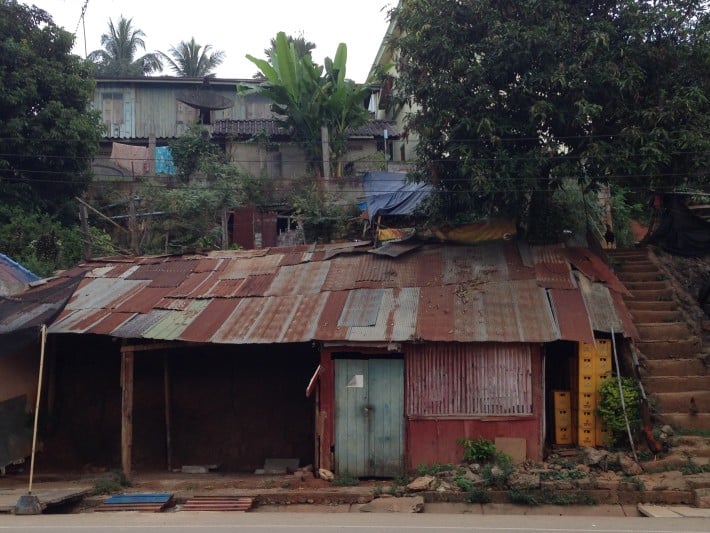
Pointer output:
230, 406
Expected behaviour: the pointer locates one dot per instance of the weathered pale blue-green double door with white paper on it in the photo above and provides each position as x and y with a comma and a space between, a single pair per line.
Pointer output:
369, 423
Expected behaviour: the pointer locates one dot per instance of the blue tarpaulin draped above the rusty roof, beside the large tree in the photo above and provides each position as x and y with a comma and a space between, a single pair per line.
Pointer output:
389, 193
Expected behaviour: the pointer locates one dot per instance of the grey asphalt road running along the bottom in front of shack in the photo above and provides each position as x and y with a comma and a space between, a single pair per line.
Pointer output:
342, 522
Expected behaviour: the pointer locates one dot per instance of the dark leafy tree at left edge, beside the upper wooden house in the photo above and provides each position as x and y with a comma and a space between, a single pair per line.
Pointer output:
47, 136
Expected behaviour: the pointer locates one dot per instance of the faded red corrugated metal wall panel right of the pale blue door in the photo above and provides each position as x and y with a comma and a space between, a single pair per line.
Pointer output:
469, 380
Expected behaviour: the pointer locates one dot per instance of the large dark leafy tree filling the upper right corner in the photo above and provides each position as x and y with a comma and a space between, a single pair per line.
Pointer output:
514, 98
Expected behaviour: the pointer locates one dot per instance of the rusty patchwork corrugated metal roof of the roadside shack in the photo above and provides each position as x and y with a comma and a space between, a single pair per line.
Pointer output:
484, 293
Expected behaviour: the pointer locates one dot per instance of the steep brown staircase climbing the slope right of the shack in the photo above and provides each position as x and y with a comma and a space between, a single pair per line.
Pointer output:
673, 369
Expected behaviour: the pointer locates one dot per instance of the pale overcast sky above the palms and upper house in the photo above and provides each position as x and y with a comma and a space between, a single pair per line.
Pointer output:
238, 27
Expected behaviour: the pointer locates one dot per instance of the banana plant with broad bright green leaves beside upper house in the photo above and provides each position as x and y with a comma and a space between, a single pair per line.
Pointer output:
305, 99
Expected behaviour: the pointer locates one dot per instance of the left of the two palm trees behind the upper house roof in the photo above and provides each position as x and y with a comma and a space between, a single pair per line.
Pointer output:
120, 46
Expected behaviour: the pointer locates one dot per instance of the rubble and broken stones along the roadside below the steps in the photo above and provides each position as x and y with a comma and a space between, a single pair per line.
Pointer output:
588, 476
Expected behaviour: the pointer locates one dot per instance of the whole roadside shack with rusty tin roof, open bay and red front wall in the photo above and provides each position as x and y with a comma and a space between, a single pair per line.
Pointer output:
402, 353
